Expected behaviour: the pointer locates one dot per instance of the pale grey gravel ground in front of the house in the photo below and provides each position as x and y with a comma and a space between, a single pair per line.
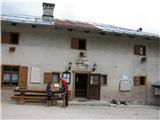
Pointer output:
41, 111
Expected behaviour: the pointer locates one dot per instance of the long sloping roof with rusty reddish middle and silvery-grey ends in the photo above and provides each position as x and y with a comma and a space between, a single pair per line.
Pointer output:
75, 25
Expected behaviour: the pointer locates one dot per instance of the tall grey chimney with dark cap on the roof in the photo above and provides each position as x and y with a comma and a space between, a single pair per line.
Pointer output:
48, 12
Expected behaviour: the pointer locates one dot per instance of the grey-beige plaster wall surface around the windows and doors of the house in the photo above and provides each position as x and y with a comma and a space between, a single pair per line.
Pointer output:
50, 49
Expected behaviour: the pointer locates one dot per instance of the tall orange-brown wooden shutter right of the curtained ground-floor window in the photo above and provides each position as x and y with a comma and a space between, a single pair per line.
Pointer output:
23, 77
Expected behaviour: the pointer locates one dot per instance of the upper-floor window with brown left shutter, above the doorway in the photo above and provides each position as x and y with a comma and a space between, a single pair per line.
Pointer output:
78, 43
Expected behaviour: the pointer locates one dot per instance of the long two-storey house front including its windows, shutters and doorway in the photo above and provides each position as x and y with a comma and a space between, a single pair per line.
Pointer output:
97, 64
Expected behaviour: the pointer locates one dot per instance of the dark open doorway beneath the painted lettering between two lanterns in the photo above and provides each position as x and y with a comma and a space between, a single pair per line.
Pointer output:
81, 85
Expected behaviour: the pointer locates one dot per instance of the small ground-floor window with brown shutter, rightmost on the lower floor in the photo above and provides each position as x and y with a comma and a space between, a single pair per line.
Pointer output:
139, 80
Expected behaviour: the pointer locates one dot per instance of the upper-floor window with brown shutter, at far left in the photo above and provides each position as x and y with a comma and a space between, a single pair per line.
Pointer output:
10, 37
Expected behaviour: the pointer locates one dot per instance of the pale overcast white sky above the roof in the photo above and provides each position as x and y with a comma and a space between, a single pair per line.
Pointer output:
130, 14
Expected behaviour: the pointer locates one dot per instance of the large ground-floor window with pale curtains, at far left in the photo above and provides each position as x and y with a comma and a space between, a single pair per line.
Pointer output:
10, 75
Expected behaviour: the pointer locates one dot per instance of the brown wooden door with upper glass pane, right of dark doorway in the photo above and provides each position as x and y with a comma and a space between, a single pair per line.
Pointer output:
93, 91
